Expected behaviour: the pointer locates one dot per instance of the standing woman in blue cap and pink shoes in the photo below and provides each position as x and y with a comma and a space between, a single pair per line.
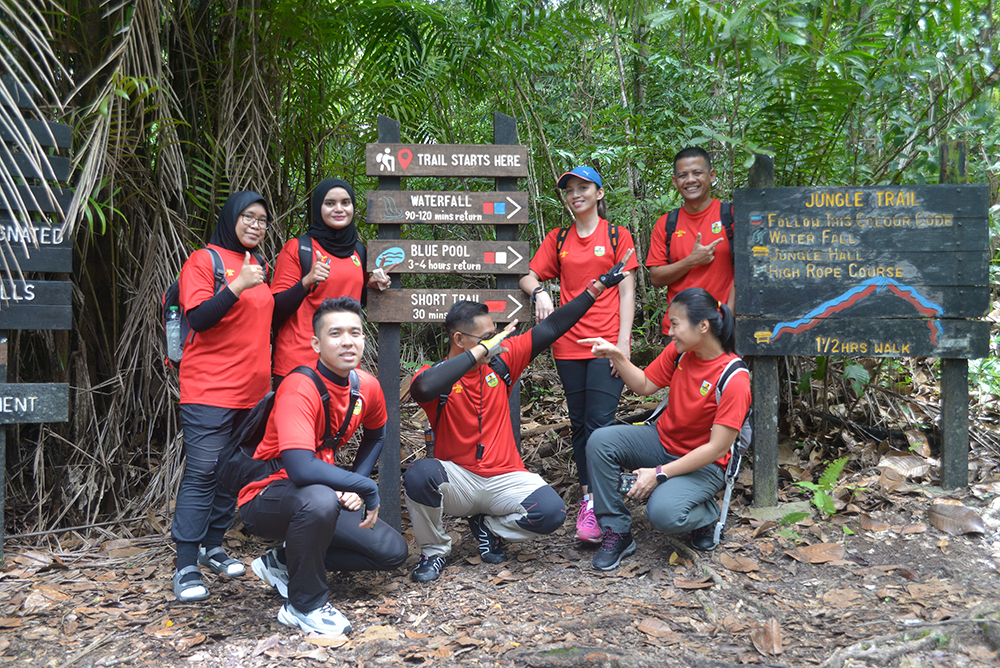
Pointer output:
572, 254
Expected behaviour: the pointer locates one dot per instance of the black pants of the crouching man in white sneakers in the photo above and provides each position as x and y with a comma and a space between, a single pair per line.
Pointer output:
319, 536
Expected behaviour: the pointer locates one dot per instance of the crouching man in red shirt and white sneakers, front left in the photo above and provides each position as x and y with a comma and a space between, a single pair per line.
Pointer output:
327, 515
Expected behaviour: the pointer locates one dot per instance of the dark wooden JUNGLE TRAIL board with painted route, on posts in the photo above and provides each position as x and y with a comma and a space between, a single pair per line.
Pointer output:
878, 271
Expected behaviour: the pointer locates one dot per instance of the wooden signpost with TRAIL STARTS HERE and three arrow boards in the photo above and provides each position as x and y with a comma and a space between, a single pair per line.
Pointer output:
506, 257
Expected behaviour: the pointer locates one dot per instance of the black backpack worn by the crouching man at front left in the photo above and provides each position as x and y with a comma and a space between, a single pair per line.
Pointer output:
236, 467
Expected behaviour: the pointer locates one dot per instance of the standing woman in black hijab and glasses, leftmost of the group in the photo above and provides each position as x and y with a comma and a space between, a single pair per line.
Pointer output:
224, 373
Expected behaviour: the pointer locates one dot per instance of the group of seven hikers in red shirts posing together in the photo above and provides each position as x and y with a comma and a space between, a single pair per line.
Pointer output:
326, 516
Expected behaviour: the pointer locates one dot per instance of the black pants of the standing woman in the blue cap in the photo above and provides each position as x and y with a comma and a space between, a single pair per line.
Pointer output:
592, 395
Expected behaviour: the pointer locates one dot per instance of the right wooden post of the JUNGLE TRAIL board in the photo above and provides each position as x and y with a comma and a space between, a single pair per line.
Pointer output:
954, 372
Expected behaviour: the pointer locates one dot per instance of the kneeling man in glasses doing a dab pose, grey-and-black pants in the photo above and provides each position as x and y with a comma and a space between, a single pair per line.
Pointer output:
477, 471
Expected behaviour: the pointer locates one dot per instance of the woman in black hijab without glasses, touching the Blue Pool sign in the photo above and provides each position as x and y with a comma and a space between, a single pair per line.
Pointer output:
327, 261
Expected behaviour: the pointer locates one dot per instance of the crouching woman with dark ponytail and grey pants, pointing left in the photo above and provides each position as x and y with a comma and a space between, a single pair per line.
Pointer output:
680, 462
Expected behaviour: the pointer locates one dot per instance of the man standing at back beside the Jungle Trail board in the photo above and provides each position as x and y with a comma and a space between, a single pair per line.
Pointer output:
700, 254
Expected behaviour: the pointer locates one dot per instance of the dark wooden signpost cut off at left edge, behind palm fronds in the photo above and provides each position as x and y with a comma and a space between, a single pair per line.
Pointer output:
35, 244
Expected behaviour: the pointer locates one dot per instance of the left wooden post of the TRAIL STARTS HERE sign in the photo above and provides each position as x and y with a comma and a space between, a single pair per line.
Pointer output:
388, 365
